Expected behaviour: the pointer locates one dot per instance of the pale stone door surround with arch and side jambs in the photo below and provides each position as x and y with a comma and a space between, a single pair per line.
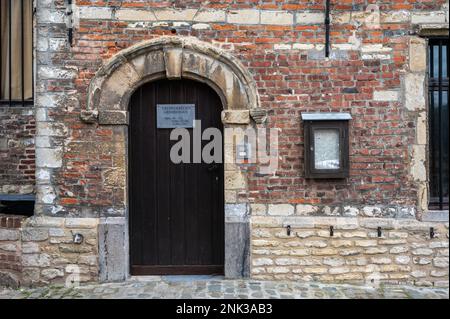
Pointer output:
108, 99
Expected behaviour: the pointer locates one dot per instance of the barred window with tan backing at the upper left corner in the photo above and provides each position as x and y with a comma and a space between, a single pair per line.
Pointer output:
16, 53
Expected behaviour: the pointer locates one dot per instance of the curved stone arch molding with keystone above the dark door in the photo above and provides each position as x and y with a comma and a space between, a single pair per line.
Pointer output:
171, 58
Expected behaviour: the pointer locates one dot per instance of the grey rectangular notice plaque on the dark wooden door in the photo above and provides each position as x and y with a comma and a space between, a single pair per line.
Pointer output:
175, 115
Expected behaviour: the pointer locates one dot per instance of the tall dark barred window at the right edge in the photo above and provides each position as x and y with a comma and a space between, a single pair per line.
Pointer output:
438, 123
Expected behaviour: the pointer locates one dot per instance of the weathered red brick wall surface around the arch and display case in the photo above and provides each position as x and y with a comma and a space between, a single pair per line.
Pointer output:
289, 82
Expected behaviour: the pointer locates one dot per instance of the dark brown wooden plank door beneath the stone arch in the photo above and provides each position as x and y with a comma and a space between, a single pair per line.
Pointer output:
176, 210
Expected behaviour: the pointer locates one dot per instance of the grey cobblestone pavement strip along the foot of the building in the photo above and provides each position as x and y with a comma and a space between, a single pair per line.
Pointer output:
191, 287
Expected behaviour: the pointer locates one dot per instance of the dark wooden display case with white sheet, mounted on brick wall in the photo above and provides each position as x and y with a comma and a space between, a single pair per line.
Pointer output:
326, 145
